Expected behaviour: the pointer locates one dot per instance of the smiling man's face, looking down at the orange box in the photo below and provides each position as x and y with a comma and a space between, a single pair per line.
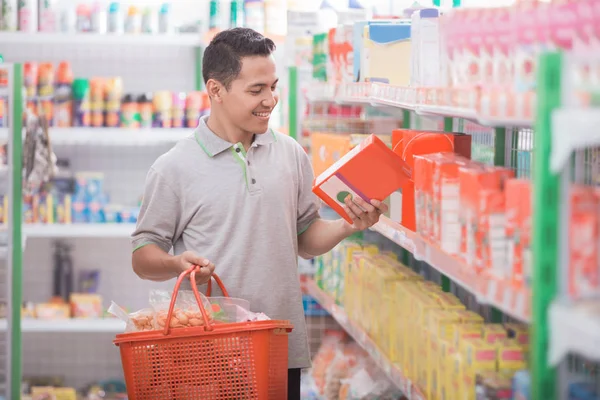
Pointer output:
252, 96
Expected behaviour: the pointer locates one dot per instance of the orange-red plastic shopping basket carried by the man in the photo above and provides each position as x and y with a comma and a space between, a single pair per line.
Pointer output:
234, 361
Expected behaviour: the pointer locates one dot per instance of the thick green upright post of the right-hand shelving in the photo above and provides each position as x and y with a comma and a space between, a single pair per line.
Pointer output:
546, 244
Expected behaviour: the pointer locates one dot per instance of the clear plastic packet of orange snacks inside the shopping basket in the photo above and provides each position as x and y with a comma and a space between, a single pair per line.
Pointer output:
186, 313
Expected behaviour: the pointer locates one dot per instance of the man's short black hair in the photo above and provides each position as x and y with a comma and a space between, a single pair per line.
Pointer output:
223, 57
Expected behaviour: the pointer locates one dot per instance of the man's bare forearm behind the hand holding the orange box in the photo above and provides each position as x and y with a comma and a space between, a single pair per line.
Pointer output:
322, 236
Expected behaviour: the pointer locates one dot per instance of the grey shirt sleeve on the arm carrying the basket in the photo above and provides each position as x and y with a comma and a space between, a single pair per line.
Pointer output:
160, 216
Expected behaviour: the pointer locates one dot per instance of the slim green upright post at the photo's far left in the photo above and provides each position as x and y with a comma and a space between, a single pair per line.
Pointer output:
17, 243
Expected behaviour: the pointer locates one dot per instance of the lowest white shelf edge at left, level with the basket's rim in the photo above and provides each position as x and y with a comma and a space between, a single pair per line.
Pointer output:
69, 325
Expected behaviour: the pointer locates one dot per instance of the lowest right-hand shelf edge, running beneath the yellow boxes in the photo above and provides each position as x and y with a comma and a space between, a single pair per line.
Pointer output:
392, 371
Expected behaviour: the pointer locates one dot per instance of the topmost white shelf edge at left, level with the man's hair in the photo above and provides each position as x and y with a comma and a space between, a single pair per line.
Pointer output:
41, 39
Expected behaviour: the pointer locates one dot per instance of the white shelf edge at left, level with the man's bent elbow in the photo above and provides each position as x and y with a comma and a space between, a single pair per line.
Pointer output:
78, 230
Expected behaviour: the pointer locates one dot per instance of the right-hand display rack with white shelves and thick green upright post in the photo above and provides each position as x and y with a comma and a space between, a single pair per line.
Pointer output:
555, 324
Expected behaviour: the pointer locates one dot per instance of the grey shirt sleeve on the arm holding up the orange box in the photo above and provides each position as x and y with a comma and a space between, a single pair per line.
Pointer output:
308, 202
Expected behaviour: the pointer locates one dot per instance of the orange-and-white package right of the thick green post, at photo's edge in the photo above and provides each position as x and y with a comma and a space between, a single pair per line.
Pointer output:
584, 279
